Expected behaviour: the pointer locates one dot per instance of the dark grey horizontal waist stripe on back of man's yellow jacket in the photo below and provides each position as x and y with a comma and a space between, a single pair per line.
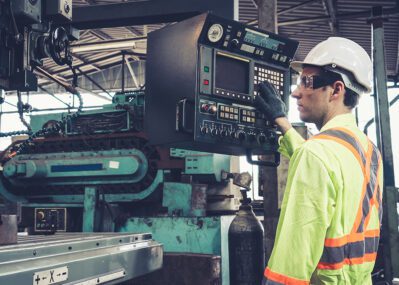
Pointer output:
338, 254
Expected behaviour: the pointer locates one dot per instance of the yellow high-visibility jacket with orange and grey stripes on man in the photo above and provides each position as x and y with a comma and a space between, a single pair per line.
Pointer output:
331, 213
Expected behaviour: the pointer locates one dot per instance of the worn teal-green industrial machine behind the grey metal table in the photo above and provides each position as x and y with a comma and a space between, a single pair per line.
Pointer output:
101, 167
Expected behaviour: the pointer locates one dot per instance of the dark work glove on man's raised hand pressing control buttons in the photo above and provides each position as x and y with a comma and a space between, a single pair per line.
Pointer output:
268, 101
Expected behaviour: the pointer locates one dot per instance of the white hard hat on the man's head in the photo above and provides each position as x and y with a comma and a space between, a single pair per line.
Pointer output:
345, 57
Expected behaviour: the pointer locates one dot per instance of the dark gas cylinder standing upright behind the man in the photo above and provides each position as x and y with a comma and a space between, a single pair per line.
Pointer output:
246, 247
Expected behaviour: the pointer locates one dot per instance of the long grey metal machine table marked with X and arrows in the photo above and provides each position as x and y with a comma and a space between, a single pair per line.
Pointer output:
79, 258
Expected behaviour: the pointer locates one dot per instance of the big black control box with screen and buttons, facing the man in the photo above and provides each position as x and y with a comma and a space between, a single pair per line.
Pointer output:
201, 78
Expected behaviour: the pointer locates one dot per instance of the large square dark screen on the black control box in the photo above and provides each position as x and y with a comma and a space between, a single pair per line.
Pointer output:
232, 74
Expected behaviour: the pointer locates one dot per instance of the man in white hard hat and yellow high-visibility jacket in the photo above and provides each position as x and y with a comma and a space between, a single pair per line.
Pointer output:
329, 225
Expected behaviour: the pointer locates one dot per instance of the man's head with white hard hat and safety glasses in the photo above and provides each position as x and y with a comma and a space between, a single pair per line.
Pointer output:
332, 77
